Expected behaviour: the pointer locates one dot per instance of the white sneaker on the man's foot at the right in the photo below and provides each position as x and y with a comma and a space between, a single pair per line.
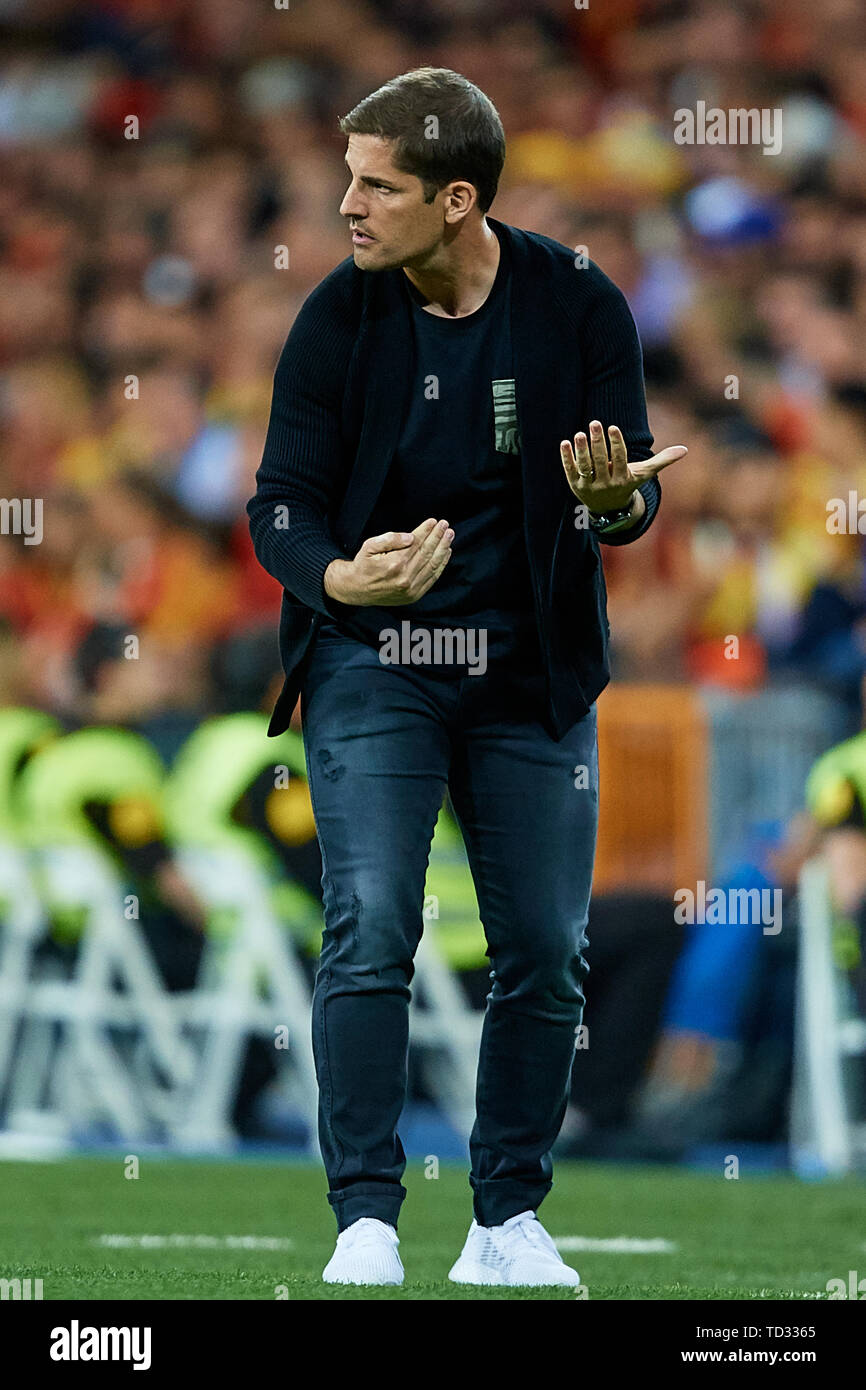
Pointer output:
516, 1253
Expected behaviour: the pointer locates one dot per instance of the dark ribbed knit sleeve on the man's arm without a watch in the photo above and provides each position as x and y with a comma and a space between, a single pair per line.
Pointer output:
304, 466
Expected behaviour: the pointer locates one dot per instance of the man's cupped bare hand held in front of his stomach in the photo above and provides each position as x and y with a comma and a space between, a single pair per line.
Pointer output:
393, 569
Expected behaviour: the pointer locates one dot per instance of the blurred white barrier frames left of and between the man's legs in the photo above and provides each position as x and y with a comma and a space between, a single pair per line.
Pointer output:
77, 1053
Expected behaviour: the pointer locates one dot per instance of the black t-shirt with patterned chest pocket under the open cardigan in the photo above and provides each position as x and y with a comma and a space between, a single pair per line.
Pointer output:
458, 459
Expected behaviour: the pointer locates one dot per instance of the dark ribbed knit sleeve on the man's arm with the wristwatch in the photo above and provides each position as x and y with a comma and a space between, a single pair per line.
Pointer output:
615, 394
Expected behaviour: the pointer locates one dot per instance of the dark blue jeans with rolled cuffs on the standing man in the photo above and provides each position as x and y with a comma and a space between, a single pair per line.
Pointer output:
383, 744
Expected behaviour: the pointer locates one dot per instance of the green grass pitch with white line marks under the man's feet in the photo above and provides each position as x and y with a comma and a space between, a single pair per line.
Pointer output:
751, 1238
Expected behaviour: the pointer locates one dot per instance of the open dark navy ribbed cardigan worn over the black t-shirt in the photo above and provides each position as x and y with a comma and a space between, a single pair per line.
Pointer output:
340, 400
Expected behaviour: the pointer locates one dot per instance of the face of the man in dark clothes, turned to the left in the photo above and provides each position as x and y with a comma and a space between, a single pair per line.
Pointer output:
393, 226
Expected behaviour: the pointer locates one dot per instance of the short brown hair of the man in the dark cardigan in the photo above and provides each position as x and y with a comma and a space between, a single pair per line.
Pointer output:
466, 141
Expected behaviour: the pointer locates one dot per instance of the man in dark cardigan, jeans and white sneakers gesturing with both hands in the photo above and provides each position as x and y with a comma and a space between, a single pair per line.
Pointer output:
444, 621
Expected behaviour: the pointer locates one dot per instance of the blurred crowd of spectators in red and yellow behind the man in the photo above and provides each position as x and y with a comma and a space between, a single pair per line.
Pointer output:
151, 270
